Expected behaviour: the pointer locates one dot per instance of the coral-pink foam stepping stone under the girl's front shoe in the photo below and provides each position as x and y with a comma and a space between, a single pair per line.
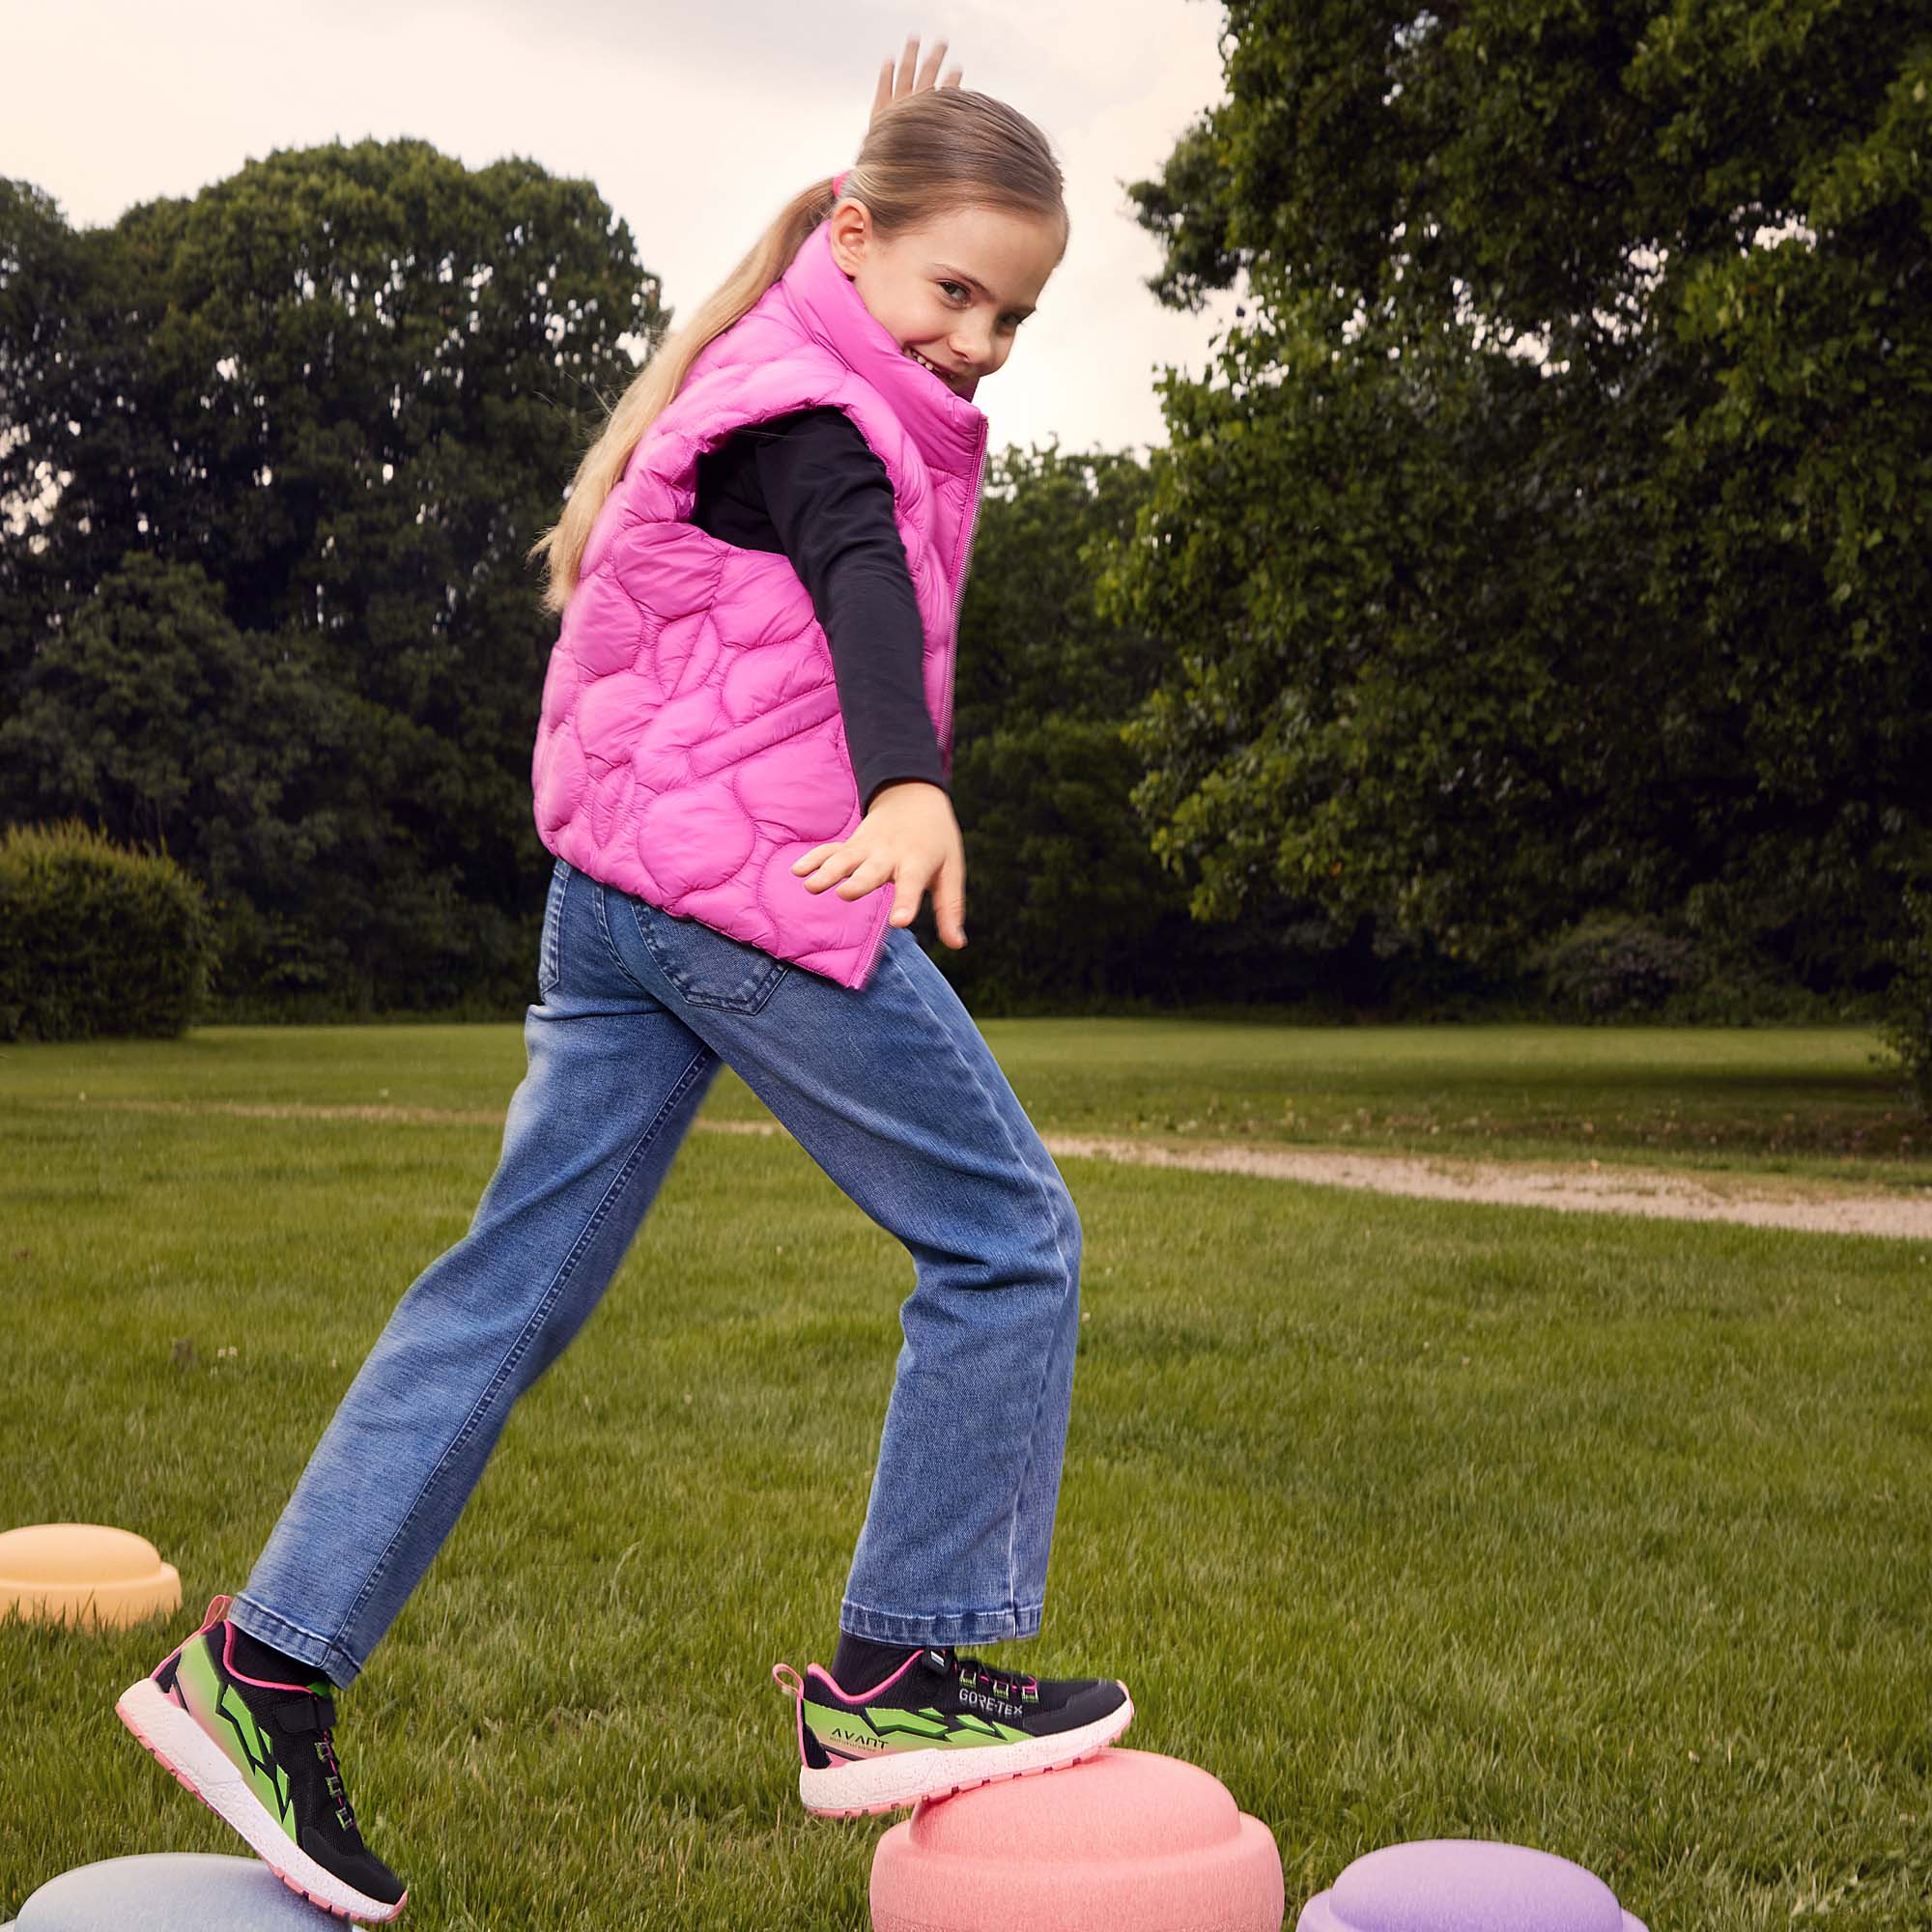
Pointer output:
1125, 1842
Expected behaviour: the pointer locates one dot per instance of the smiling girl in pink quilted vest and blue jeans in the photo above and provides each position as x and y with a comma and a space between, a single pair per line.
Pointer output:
741, 766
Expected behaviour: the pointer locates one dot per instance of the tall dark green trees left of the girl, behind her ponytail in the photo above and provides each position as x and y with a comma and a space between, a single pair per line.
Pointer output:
281, 451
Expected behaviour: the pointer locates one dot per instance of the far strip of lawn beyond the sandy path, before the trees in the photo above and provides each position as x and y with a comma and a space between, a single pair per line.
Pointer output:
1788, 1102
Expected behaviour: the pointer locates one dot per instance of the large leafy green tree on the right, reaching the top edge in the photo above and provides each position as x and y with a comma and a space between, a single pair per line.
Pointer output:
1558, 528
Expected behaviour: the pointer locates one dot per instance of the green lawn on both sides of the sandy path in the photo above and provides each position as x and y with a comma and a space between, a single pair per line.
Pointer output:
1406, 1520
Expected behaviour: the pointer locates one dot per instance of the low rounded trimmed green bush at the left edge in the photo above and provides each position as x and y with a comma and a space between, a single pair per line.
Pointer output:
98, 940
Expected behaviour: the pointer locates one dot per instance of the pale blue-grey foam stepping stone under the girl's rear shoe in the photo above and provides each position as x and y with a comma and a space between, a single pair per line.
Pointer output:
171, 1892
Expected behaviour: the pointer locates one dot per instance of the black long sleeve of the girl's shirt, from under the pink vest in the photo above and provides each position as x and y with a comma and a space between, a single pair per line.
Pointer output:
810, 486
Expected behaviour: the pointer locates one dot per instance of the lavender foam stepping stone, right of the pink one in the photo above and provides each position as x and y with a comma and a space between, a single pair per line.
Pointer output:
1463, 1885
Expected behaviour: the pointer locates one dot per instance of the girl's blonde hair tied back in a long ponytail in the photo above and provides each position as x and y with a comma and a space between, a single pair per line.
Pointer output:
926, 157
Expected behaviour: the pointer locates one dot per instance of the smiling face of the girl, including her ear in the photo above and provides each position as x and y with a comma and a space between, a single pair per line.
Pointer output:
953, 293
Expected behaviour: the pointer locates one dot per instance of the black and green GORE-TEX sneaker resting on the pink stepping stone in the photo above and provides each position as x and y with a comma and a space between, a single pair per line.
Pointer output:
942, 1724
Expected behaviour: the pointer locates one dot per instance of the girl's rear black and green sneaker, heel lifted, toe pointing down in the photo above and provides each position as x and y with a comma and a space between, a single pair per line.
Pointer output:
264, 1757
